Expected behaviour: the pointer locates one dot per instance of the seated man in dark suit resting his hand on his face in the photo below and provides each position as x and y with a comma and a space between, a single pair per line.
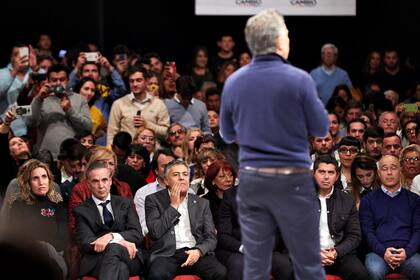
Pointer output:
182, 230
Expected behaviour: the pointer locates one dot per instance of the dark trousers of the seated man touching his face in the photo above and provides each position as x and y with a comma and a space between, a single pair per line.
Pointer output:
166, 268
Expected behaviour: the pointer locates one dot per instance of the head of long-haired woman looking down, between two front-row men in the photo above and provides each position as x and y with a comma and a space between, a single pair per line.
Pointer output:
364, 177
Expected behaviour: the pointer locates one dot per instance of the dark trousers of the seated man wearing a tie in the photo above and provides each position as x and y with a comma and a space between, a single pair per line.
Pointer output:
116, 264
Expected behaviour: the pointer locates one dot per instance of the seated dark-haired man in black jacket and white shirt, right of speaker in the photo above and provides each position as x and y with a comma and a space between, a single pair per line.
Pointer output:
339, 224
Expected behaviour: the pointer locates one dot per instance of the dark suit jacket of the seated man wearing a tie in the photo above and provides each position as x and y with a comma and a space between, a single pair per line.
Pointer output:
89, 227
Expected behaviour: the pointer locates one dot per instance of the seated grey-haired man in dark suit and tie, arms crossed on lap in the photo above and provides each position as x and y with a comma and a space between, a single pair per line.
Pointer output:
108, 230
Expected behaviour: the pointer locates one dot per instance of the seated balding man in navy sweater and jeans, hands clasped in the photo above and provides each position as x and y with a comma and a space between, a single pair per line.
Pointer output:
390, 221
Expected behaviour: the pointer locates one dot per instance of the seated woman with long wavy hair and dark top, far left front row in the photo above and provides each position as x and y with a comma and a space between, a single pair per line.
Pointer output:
37, 212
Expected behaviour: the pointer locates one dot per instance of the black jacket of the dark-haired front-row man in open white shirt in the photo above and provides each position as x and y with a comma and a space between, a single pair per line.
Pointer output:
343, 222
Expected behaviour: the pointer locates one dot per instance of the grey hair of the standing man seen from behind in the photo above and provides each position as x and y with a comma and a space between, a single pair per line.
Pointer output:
262, 31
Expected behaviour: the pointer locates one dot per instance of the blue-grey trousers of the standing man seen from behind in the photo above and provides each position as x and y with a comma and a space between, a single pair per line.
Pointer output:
269, 203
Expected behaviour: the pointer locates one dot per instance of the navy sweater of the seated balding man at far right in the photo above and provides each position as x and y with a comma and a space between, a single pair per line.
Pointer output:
391, 222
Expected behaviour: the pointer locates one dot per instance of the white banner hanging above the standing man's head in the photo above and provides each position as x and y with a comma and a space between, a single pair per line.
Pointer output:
285, 7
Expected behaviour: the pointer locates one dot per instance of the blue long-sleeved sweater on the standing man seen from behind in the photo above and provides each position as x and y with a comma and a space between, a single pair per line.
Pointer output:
272, 120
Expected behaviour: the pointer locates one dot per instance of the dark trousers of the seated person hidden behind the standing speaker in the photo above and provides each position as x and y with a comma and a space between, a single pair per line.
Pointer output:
281, 267
